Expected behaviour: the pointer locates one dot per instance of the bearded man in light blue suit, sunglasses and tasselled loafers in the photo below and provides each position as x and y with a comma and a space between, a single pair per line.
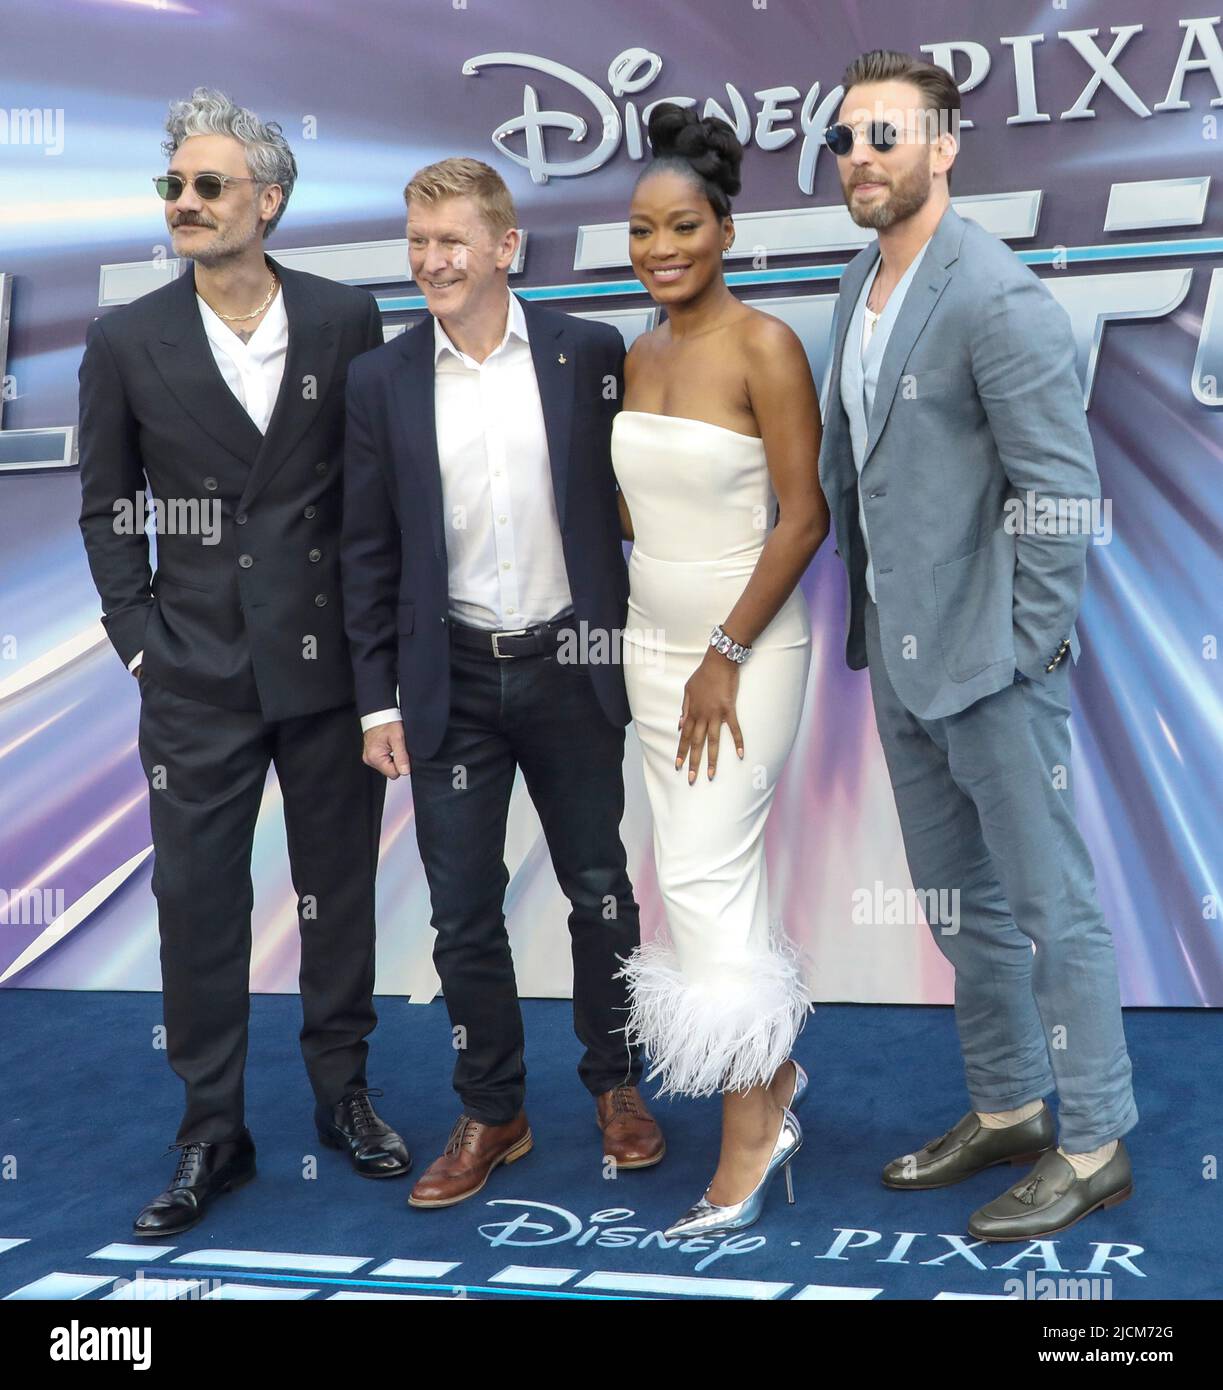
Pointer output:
954, 418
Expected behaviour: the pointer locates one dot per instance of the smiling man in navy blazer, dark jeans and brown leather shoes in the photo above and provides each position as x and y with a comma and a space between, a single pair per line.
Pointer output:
483, 569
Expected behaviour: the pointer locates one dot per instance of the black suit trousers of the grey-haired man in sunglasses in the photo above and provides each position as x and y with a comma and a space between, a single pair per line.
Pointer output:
206, 771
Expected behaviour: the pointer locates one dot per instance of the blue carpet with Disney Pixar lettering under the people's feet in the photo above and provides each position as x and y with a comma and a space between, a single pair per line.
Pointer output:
90, 1104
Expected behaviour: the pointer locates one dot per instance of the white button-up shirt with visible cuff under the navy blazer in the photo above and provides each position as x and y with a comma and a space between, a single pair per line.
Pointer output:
505, 559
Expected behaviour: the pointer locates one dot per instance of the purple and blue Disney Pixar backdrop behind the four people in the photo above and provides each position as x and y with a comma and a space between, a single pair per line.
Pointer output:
1092, 145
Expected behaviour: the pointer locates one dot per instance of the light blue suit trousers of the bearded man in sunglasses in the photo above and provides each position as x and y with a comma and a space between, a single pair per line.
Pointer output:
982, 812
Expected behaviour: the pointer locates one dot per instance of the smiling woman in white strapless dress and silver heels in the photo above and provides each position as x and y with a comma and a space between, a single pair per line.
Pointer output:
721, 427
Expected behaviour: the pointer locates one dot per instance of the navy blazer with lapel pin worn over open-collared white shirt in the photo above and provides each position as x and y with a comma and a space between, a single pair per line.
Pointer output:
394, 568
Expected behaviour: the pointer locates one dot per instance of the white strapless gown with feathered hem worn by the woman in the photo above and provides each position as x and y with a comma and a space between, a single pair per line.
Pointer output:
719, 1004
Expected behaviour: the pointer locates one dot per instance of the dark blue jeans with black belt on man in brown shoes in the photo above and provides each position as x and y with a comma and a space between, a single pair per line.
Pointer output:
541, 715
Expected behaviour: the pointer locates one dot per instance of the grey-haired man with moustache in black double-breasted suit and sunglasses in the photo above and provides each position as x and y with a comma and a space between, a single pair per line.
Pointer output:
224, 394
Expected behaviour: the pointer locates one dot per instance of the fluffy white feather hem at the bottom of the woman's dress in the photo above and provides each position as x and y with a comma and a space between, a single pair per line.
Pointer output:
719, 1033
